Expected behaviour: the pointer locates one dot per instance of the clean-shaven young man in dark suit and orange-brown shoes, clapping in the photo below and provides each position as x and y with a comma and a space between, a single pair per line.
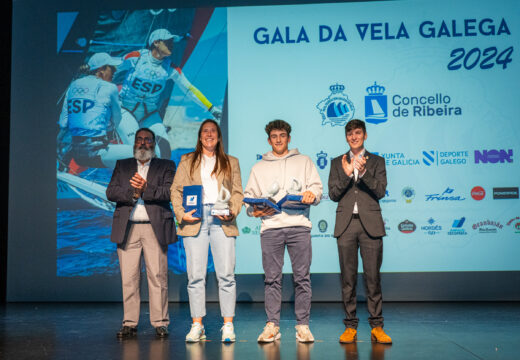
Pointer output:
357, 181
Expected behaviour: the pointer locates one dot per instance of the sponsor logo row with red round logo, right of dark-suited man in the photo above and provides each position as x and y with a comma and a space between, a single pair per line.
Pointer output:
478, 193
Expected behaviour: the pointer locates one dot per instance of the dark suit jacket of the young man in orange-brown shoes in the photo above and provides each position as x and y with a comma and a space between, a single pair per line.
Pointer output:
366, 191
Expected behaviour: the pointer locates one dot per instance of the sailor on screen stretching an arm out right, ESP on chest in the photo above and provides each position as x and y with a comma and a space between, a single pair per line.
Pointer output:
145, 75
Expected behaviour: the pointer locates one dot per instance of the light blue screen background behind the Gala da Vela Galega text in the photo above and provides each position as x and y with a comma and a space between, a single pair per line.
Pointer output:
288, 80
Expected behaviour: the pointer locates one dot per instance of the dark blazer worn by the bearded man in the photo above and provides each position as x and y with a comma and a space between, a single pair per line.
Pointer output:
156, 198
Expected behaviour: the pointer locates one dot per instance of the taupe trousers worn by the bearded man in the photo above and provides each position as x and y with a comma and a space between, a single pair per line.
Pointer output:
141, 239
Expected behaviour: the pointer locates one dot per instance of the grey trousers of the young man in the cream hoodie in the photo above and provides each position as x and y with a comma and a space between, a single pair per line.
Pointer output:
298, 242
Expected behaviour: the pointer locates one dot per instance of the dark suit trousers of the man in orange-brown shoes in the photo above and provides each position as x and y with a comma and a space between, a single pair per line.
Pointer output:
354, 238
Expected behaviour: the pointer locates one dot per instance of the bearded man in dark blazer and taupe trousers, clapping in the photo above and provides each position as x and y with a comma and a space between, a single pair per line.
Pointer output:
143, 225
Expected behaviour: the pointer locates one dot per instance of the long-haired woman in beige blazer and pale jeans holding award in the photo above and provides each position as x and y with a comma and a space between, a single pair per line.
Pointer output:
212, 168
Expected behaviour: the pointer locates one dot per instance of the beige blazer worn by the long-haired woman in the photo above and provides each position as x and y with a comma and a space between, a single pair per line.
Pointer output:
183, 178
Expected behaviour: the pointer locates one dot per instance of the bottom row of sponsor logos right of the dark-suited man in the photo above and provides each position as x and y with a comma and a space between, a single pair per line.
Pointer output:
457, 227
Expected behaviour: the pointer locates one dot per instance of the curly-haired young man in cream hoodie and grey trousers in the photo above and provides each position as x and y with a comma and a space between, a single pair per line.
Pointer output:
290, 228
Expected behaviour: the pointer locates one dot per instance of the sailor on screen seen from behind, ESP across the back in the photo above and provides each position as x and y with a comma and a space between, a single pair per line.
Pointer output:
89, 115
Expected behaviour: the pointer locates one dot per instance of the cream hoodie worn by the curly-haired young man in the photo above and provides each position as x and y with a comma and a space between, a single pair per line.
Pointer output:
283, 170
